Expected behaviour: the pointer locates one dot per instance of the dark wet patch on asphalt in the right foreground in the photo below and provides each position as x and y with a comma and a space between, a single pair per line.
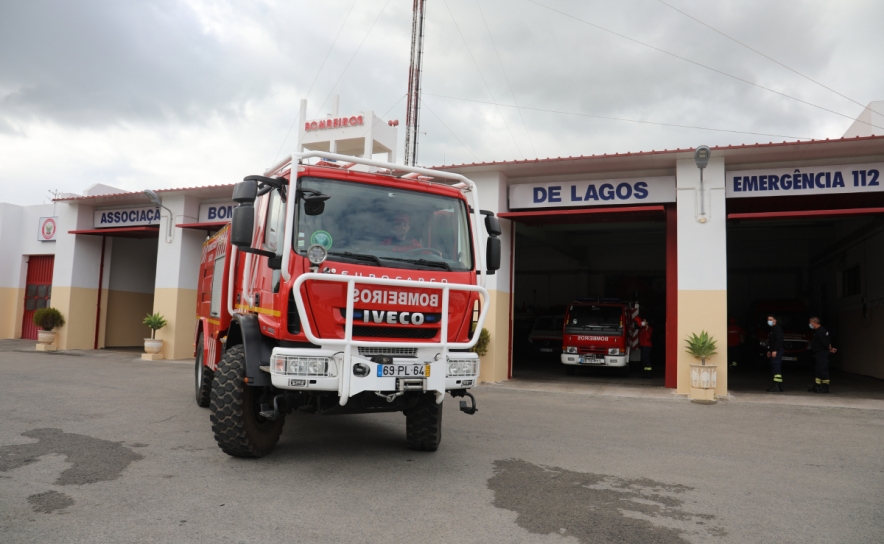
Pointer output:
596, 507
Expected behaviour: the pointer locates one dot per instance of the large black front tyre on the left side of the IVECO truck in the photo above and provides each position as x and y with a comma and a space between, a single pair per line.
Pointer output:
240, 430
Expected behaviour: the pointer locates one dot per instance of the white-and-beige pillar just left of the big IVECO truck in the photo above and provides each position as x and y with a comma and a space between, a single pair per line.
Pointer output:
177, 277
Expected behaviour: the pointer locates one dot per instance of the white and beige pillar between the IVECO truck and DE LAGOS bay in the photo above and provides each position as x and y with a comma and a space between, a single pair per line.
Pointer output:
495, 366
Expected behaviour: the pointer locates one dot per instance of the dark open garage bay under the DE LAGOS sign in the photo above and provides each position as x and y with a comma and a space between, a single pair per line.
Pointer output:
604, 261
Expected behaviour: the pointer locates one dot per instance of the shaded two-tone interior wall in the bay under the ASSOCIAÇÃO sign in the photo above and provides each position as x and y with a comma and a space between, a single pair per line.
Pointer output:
130, 291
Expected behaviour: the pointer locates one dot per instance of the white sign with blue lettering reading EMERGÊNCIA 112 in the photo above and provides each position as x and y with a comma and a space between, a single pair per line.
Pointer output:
815, 180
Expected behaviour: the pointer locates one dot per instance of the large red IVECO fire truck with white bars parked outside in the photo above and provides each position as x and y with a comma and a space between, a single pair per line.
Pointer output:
342, 286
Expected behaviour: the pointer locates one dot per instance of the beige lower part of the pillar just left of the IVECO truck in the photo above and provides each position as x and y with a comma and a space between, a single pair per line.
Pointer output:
178, 306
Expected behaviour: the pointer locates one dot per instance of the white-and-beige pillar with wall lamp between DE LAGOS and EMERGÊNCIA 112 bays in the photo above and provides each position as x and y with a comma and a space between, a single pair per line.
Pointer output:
702, 265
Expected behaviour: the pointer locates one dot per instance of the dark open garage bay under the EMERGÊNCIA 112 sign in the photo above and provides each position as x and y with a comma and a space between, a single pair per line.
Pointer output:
806, 257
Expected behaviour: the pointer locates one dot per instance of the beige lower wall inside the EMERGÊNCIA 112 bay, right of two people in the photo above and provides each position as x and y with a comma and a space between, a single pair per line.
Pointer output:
861, 342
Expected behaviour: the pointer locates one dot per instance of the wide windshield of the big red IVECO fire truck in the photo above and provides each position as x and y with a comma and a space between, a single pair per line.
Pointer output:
382, 226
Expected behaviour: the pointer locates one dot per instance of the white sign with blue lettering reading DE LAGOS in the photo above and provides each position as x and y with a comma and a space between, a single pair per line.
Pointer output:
606, 192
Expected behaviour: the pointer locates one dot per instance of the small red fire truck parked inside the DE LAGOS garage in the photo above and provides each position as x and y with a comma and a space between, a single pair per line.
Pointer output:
599, 332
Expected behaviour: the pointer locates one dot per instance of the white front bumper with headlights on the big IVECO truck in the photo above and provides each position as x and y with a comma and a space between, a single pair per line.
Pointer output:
298, 369
